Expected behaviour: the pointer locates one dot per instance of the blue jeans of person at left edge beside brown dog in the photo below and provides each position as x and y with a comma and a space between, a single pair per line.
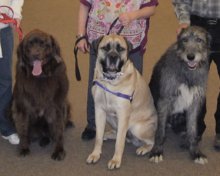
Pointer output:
7, 42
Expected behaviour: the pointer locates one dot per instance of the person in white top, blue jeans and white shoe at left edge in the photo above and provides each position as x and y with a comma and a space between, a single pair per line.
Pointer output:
6, 51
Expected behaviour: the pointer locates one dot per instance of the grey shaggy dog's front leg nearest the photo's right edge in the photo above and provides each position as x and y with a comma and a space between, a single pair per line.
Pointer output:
194, 150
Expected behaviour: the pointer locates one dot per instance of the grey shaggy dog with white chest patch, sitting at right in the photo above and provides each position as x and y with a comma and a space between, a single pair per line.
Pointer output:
178, 86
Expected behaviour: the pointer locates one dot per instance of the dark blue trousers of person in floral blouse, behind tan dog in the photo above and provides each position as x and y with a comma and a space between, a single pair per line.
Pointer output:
136, 58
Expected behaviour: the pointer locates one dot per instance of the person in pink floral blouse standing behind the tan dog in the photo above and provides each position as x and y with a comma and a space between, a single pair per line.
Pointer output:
95, 19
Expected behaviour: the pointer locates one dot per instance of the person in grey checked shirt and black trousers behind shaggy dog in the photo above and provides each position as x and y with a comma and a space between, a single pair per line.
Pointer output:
206, 14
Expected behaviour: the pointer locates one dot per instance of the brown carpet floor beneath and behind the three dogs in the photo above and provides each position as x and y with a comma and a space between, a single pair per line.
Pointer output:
60, 19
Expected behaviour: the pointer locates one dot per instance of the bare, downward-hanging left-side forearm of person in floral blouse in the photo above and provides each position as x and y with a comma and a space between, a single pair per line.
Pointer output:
82, 18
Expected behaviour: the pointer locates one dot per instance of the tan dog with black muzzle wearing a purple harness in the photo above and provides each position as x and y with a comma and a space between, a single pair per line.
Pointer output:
121, 97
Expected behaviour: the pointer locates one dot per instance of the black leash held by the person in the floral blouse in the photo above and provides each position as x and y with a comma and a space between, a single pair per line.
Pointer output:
77, 72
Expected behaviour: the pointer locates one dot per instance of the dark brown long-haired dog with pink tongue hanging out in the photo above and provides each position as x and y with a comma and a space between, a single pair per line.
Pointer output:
40, 106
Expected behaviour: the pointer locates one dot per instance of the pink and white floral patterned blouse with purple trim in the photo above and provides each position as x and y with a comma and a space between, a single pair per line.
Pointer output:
103, 12
